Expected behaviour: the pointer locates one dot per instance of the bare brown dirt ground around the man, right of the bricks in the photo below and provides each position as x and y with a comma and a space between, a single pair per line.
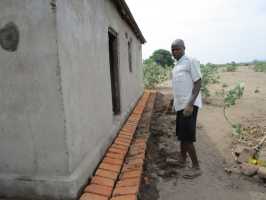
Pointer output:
163, 180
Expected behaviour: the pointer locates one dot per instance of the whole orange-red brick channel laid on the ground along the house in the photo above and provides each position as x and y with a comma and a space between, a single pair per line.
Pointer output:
118, 176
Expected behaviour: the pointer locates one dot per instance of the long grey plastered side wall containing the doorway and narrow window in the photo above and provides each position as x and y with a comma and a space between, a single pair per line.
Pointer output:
84, 60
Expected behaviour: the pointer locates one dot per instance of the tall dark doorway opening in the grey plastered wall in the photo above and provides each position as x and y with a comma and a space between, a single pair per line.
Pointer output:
114, 70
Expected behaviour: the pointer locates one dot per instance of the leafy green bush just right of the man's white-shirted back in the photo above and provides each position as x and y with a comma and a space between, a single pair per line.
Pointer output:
209, 76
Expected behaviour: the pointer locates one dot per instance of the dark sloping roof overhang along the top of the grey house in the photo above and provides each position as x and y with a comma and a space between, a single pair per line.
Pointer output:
128, 17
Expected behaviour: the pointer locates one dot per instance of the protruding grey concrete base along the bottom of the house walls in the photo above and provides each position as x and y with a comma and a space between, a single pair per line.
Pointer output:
58, 188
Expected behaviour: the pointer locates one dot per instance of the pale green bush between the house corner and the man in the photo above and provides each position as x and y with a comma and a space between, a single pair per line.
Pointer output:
154, 73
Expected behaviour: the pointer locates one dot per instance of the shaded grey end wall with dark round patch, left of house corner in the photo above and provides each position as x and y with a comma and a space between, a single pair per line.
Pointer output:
32, 135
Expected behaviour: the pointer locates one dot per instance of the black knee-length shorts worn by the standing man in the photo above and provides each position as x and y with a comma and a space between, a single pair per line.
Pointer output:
186, 126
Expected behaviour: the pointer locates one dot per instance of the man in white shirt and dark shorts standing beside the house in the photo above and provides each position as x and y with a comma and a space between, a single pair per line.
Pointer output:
186, 82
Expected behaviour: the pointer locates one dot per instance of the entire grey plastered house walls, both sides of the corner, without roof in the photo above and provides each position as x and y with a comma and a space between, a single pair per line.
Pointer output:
57, 114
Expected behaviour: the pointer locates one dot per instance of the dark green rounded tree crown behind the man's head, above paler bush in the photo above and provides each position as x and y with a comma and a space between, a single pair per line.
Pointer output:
162, 57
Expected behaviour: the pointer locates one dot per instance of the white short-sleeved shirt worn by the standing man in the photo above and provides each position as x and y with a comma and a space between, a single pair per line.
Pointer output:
184, 74
